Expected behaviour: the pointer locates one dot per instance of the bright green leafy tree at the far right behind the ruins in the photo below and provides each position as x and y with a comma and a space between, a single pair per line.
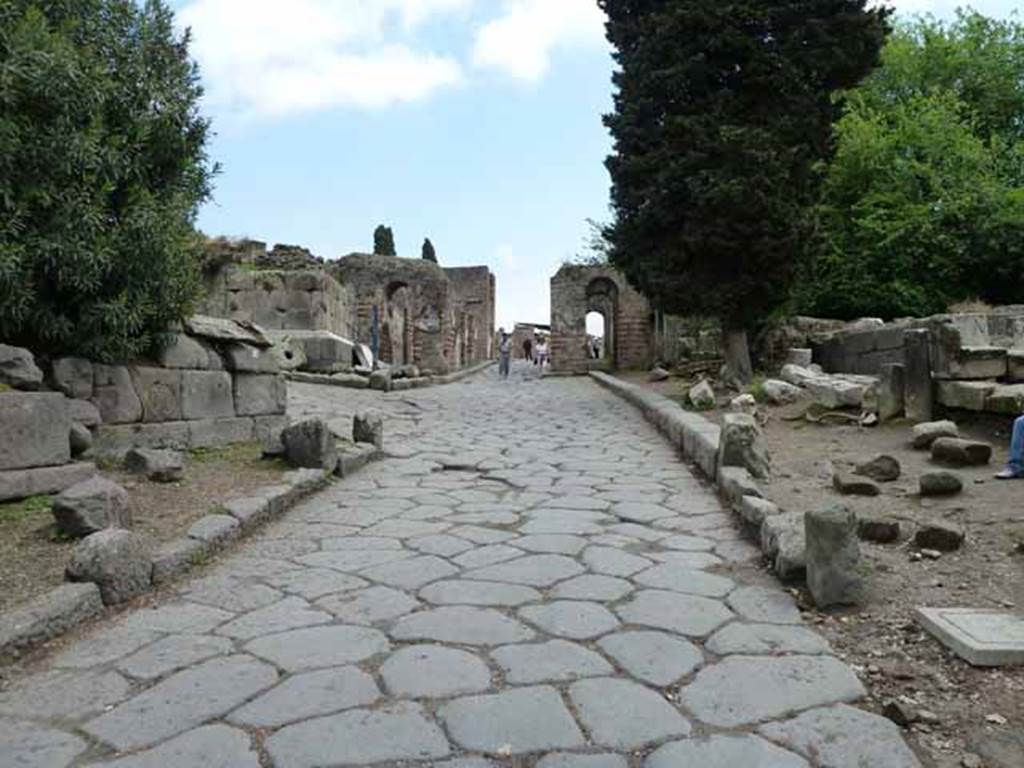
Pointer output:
924, 203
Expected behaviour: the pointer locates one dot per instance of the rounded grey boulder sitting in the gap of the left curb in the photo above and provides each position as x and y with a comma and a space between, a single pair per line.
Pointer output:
116, 562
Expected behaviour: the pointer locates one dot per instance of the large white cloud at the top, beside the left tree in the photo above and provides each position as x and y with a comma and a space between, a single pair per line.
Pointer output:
273, 58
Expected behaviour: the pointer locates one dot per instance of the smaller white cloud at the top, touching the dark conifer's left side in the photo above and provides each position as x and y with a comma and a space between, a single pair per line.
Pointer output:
521, 41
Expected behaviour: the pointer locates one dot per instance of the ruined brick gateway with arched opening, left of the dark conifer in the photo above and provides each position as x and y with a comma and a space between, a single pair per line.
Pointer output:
577, 290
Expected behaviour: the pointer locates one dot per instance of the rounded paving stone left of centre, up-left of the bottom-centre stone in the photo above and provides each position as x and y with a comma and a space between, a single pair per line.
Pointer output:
434, 672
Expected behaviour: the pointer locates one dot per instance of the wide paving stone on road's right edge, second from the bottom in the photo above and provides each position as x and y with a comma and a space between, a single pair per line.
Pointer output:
747, 690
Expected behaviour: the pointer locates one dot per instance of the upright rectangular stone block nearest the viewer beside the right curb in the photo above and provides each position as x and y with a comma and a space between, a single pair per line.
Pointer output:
833, 558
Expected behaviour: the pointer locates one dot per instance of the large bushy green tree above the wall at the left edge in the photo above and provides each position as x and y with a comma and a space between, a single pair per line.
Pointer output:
103, 167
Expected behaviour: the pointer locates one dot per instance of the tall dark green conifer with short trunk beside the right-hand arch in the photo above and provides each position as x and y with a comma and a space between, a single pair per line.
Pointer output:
723, 115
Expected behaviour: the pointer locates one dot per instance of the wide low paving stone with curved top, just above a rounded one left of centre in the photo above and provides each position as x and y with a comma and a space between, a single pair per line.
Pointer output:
462, 625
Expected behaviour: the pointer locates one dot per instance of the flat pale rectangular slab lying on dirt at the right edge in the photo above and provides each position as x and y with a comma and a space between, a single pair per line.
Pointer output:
984, 638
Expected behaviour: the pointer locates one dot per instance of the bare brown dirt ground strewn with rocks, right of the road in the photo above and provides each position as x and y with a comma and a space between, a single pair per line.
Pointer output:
966, 712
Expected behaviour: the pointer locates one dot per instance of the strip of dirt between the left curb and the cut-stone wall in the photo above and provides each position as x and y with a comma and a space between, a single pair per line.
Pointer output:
33, 554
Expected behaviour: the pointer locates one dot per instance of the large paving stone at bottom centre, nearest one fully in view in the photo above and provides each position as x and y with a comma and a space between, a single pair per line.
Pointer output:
514, 722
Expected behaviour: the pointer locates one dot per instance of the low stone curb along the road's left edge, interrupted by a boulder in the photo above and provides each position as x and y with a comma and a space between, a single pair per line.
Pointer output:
70, 605
